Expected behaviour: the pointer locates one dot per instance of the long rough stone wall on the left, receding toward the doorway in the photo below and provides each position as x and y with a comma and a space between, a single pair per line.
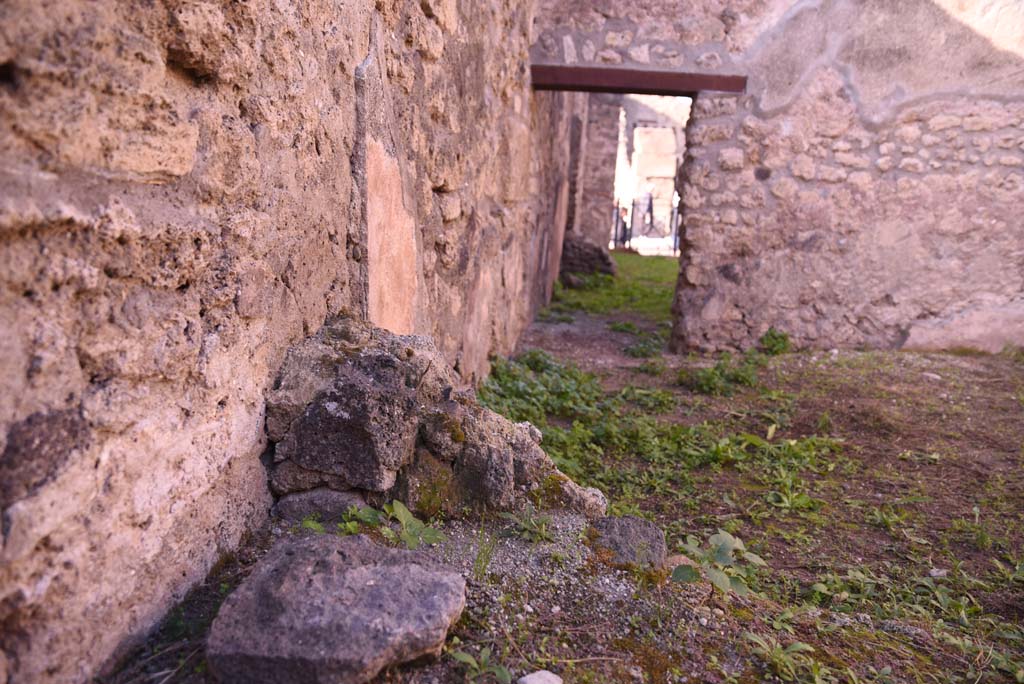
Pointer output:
189, 188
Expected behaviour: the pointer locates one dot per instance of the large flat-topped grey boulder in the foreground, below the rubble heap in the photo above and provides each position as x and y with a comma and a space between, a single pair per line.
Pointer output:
328, 610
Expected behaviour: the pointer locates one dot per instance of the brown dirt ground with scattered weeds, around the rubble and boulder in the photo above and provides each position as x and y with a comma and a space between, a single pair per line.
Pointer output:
883, 490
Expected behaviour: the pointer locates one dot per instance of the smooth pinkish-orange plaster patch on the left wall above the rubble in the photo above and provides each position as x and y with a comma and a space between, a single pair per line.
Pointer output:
392, 229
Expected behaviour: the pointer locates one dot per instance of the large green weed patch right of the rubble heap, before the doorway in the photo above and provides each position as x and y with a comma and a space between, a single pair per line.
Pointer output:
615, 443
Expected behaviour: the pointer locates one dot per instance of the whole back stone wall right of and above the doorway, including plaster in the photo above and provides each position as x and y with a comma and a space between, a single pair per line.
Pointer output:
864, 191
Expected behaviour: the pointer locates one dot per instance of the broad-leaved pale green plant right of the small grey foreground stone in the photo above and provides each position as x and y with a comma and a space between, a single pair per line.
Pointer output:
726, 561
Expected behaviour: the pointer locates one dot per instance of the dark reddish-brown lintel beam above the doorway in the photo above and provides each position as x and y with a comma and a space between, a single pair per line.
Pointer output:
627, 80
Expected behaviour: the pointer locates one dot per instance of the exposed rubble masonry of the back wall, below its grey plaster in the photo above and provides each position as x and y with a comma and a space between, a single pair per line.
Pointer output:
905, 236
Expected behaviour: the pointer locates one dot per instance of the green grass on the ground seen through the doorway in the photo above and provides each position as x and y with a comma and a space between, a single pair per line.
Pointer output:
646, 286
